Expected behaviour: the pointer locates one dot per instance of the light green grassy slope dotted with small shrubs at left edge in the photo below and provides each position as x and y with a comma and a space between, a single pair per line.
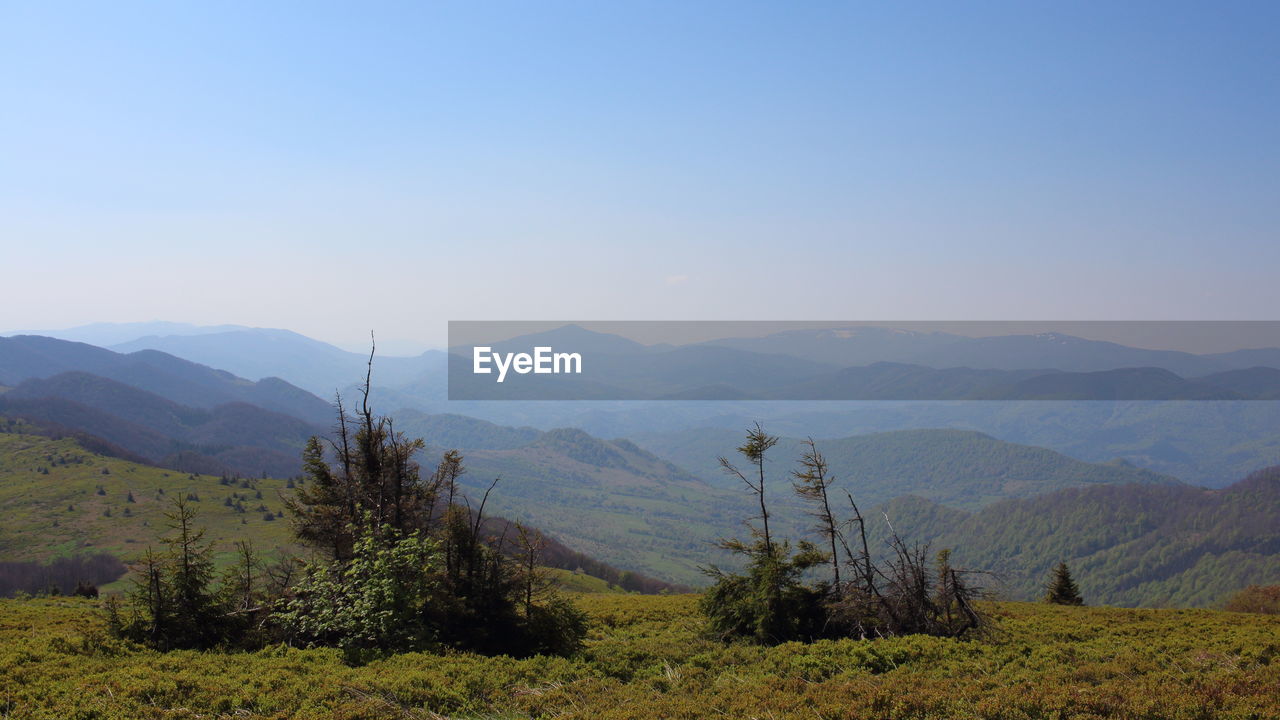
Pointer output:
62, 513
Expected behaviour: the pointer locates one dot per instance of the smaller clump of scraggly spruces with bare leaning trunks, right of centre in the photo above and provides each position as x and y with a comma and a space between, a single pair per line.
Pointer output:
772, 604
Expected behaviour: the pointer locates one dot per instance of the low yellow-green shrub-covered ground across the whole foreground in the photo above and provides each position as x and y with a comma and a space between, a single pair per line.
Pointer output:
648, 657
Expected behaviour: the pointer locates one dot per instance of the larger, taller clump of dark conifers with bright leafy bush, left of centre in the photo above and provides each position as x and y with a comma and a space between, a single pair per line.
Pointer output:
409, 564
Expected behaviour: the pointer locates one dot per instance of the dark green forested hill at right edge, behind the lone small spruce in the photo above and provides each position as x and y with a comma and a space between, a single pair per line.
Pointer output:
1136, 545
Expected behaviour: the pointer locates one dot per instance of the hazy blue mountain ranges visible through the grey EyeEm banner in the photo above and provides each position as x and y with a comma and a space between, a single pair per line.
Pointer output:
862, 364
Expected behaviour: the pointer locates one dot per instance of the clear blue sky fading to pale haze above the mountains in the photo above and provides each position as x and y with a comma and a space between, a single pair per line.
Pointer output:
333, 168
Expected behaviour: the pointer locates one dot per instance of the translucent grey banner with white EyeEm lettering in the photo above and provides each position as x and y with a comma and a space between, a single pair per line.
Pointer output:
1105, 361
